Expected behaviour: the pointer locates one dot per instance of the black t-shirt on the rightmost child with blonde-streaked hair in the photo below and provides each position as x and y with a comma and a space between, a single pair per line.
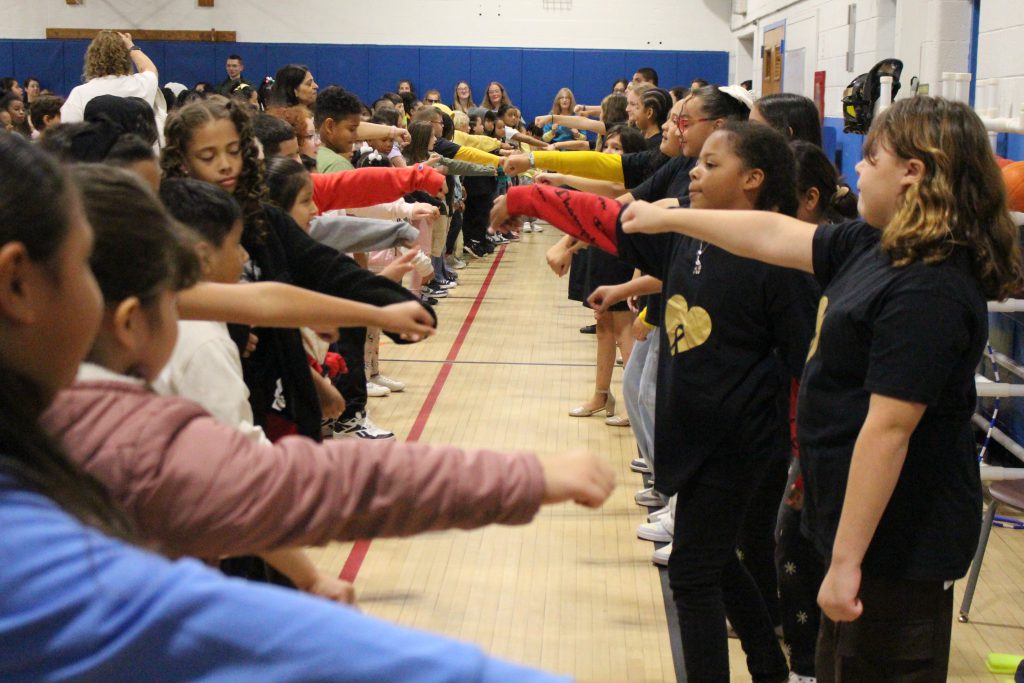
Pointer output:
913, 333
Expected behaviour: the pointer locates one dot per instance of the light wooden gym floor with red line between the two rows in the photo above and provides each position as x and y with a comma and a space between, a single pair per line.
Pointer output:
575, 591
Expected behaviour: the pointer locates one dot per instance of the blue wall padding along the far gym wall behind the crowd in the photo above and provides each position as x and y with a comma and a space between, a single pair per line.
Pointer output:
532, 76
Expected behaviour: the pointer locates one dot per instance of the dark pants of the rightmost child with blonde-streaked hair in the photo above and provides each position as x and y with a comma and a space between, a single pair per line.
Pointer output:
902, 637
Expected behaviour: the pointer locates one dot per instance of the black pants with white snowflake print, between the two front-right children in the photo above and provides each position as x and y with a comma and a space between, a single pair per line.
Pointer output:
800, 574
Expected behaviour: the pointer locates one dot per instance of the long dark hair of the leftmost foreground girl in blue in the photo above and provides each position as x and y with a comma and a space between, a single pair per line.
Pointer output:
35, 196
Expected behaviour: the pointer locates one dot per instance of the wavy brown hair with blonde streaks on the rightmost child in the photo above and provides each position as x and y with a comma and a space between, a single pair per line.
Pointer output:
960, 202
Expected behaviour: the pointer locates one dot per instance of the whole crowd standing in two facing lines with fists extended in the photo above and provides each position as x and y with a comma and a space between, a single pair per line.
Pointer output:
751, 293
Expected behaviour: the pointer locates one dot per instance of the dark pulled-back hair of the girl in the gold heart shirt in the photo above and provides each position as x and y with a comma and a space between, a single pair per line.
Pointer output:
764, 148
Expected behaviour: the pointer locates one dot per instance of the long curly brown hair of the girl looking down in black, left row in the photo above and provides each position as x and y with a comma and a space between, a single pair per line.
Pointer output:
183, 123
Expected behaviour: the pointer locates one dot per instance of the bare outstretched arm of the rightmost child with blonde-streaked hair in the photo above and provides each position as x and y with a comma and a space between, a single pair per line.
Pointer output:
764, 236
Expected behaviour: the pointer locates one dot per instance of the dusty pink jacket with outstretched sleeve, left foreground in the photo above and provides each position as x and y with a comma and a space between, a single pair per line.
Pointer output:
198, 488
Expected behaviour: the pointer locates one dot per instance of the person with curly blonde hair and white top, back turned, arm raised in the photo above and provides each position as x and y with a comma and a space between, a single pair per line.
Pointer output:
108, 71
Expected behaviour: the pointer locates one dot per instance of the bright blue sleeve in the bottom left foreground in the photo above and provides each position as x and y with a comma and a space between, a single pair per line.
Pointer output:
76, 605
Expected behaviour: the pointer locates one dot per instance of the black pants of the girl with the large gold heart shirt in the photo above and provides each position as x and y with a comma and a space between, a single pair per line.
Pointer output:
708, 580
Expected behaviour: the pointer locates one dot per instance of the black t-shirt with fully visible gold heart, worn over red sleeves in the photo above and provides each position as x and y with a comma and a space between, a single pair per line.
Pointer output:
718, 375
